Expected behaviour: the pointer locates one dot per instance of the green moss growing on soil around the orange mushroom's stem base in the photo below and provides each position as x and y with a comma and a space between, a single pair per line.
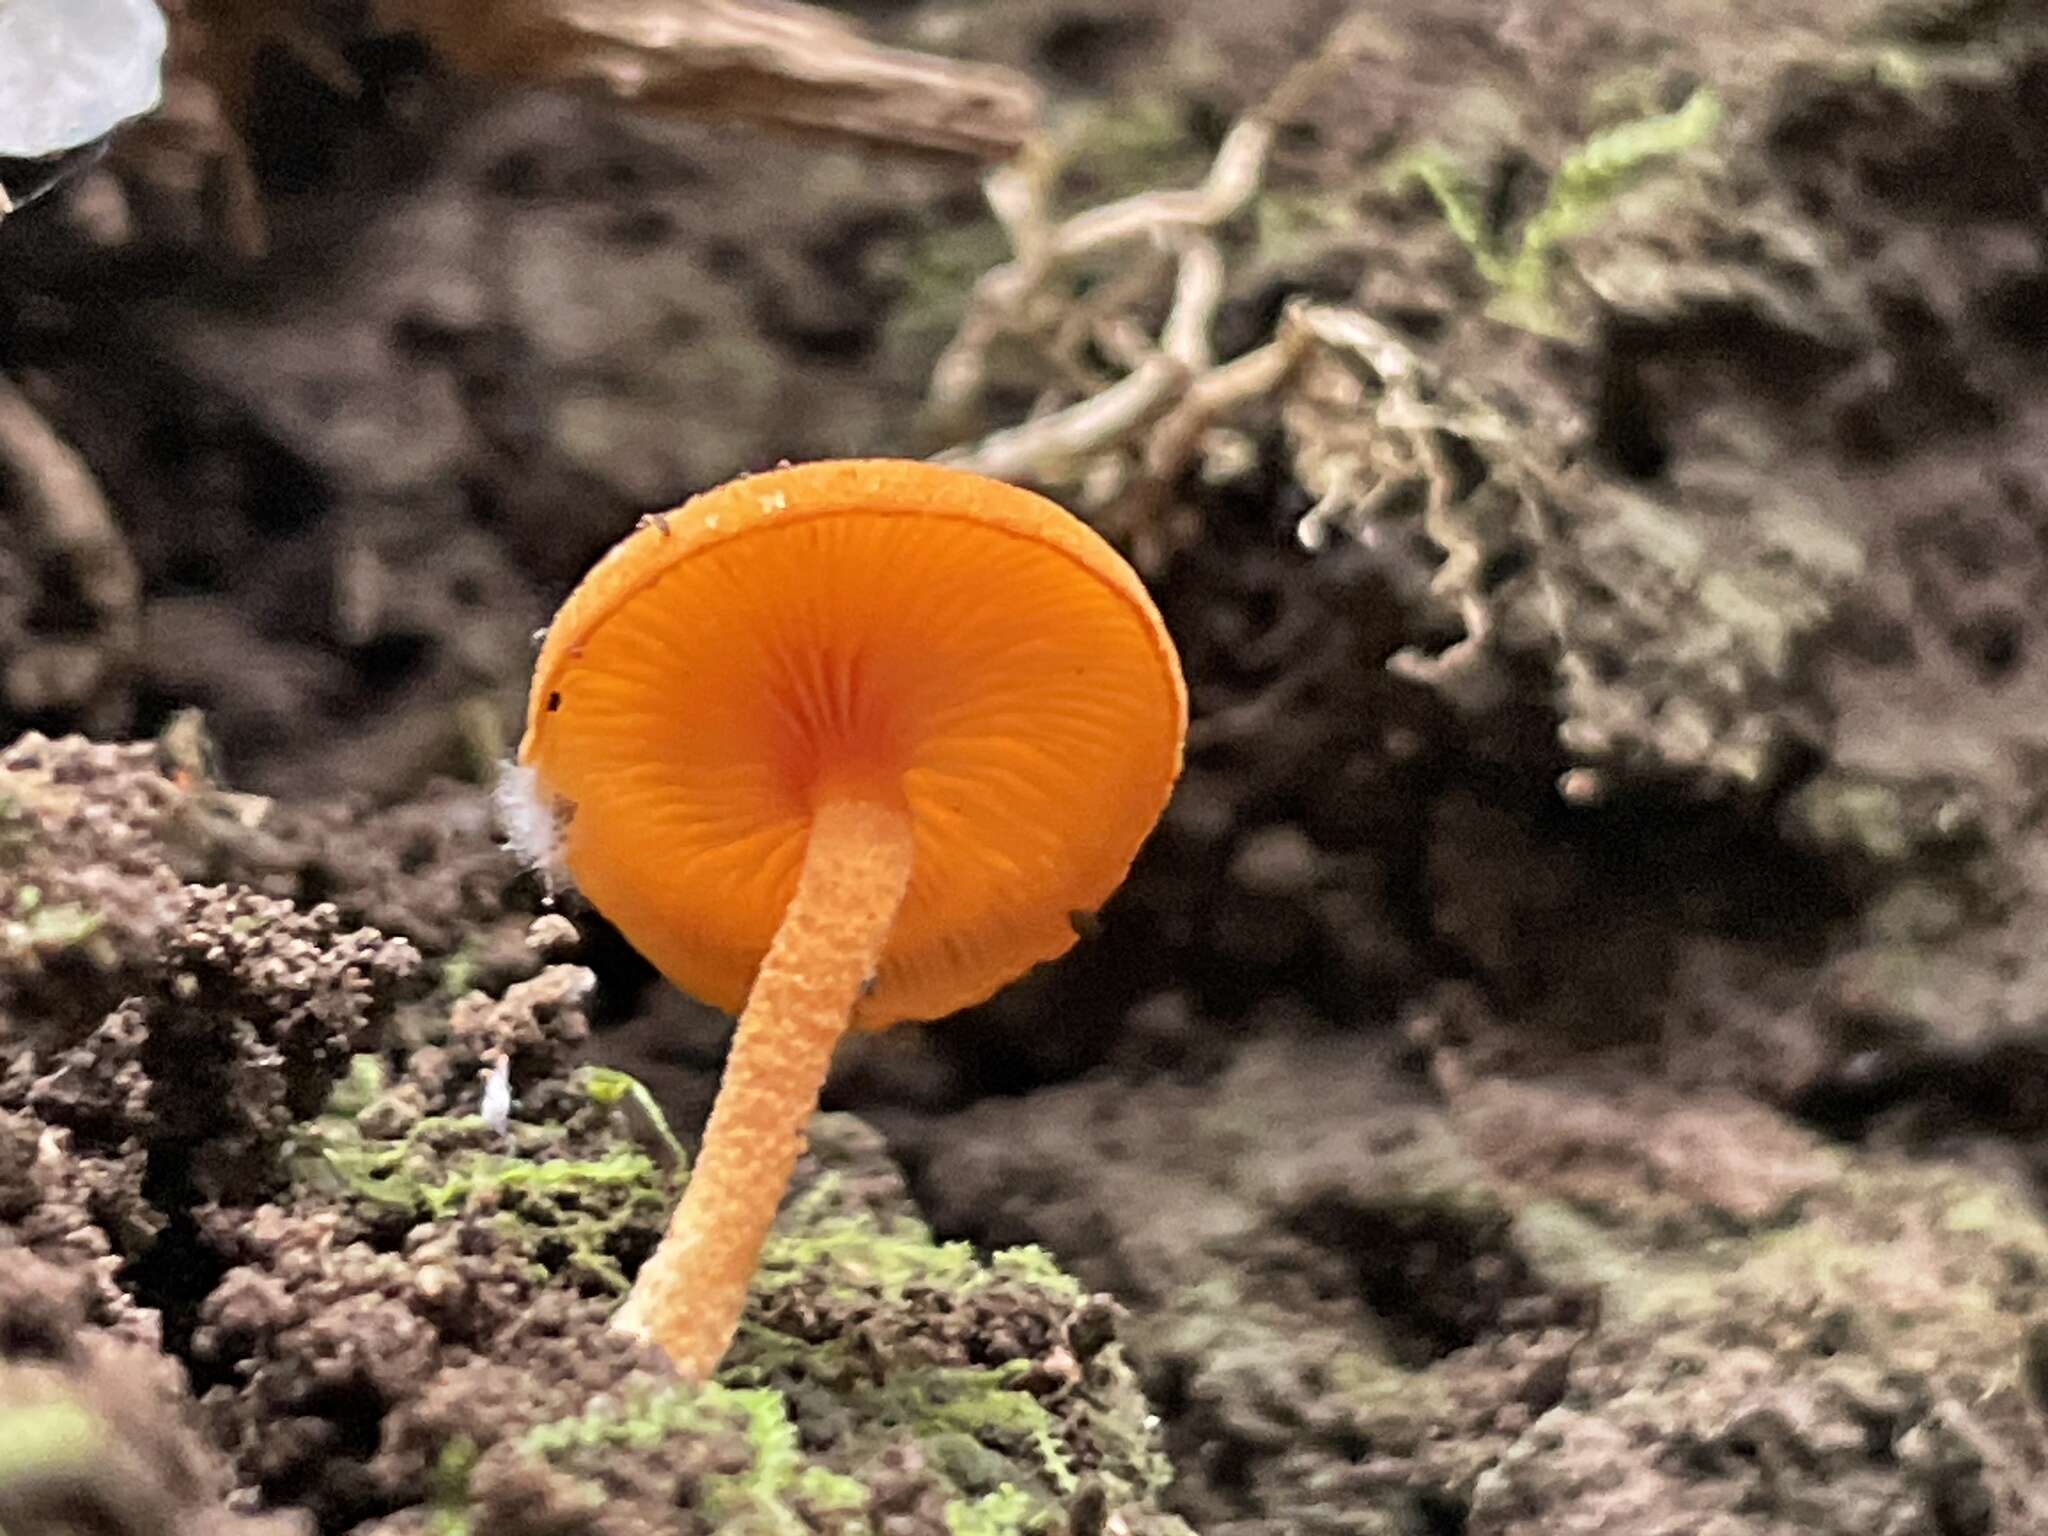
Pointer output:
861, 1383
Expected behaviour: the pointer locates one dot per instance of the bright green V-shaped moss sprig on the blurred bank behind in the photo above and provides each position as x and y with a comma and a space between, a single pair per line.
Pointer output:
1582, 191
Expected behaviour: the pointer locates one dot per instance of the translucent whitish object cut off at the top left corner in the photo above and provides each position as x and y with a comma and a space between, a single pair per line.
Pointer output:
75, 71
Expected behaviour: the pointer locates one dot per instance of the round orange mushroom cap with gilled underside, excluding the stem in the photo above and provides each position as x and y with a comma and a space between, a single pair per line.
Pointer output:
873, 628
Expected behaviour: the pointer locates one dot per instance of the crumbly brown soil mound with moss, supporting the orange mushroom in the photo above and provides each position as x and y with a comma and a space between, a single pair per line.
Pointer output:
423, 1218
